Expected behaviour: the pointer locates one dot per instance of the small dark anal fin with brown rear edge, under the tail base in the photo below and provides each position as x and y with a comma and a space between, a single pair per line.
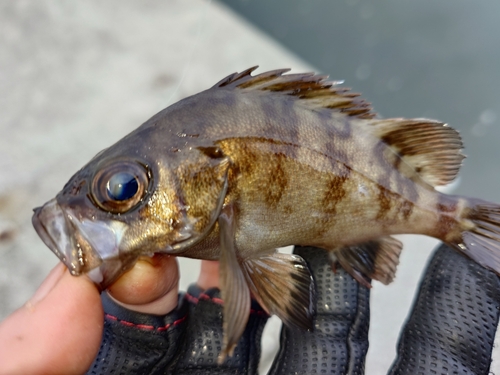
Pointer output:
377, 259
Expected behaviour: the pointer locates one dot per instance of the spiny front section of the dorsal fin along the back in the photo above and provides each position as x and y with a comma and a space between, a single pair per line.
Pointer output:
314, 91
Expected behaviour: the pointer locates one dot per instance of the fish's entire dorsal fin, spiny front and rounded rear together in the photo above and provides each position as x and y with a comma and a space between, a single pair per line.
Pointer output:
422, 149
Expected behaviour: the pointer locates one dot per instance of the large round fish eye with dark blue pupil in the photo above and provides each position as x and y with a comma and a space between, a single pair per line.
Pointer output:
119, 187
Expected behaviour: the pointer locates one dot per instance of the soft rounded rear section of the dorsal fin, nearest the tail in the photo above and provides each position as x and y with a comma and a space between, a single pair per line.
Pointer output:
428, 148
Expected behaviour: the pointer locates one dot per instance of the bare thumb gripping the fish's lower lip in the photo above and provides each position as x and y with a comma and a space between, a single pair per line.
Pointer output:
57, 332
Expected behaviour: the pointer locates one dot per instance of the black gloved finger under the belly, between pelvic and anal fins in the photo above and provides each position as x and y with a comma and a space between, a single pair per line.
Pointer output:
339, 341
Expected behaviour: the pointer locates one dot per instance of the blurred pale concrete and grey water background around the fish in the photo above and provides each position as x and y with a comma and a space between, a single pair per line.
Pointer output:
77, 76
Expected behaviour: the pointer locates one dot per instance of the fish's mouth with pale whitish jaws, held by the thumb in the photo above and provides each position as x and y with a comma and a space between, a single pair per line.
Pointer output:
84, 246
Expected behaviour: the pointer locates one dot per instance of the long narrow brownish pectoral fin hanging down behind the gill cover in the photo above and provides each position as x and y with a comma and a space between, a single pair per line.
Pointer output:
234, 289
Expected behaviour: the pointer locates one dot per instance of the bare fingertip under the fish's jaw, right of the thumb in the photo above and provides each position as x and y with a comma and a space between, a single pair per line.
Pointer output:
150, 287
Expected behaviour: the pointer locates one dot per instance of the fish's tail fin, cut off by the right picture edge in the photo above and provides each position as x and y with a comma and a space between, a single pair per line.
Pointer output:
482, 242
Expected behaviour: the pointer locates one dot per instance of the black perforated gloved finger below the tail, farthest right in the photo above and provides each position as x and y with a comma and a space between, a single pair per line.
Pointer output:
453, 322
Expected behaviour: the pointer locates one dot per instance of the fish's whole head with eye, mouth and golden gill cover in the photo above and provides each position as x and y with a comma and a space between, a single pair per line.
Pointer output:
121, 206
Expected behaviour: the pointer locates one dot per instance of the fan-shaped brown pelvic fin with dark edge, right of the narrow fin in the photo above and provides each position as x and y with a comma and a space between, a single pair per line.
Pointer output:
283, 285
